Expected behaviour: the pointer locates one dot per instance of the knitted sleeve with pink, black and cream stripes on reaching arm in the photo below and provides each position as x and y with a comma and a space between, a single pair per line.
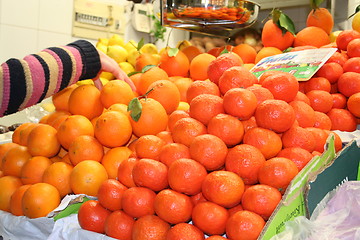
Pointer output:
25, 82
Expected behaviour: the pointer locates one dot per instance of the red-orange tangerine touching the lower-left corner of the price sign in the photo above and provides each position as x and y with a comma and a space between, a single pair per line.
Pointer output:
236, 77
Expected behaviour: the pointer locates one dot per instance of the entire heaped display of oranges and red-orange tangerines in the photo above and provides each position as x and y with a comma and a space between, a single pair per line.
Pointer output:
202, 148
